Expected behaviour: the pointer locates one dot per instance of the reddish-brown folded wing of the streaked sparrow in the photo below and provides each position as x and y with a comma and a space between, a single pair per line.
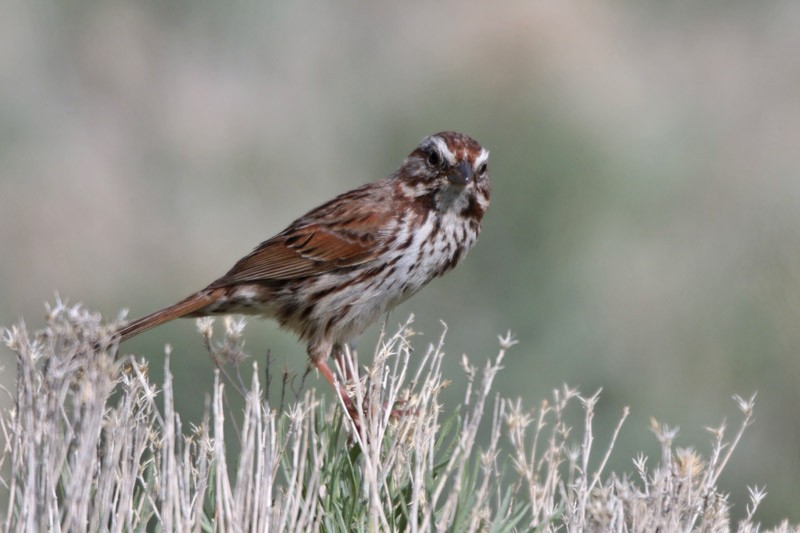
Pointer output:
312, 245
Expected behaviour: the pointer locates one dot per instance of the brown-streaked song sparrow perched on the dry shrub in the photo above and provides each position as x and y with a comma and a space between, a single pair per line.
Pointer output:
338, 268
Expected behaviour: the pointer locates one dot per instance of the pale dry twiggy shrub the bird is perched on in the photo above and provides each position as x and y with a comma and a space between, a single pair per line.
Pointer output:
86, 448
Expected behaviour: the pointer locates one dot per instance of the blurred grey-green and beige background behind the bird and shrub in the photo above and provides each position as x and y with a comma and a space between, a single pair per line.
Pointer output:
644, 235
